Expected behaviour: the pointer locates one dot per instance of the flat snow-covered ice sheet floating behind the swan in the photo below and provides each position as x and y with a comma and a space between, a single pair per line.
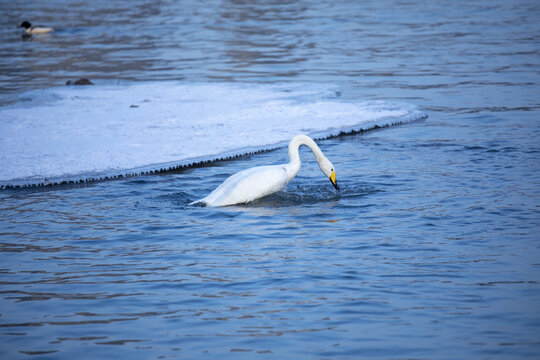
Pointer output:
94, 132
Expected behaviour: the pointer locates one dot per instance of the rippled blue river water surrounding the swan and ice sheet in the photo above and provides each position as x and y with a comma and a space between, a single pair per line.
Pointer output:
430, 250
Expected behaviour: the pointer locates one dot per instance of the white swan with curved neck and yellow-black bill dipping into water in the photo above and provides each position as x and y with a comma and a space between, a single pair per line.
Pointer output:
254, 183
